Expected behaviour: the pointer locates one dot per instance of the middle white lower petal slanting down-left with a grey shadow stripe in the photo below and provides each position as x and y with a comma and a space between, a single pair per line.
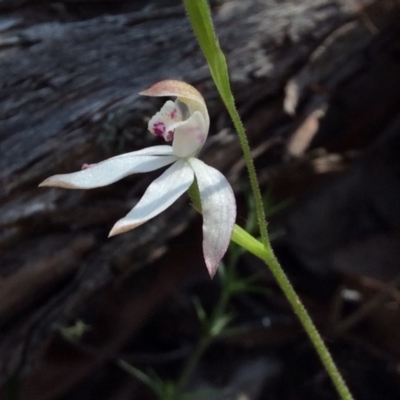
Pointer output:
162, 192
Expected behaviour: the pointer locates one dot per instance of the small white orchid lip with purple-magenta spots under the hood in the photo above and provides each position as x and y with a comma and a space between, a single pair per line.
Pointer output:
163, 123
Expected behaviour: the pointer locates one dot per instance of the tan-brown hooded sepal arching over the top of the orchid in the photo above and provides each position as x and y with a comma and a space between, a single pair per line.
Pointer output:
184, 92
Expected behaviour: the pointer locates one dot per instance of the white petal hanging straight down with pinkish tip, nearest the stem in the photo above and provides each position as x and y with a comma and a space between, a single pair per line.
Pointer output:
219, 212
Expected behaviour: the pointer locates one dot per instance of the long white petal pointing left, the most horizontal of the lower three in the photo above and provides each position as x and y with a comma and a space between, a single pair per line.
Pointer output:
113, 169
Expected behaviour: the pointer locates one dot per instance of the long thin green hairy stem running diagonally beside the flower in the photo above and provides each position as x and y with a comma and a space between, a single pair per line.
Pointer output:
200, 17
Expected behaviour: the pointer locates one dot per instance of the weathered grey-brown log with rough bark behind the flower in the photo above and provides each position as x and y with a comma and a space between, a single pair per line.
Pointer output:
70, 74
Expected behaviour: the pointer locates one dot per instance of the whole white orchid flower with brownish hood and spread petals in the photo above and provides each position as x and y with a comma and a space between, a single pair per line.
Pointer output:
185, 122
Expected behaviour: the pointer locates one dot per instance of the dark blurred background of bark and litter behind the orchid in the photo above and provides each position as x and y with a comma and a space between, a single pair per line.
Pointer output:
317, 83
